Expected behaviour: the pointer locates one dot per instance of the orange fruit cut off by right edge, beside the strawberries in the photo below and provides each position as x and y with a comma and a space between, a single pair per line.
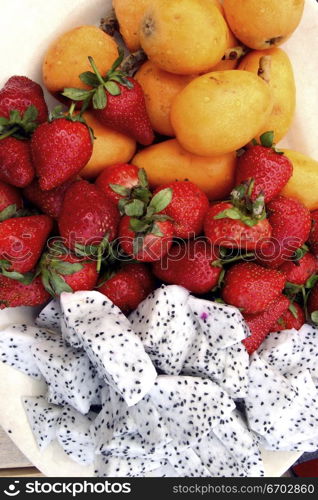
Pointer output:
303, 185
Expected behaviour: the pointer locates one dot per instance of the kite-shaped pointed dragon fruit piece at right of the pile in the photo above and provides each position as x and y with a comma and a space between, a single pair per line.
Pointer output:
266, 406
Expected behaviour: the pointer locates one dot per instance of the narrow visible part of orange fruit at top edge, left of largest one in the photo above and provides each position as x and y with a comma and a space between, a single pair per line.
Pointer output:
129, 14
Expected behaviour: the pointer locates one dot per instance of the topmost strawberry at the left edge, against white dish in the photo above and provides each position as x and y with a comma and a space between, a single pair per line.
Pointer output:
19, 93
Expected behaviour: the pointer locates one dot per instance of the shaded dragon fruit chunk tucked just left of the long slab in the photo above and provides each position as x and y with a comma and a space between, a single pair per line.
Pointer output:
68, 372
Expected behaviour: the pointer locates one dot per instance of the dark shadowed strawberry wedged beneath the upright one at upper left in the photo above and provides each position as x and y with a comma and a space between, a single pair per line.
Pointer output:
50, 202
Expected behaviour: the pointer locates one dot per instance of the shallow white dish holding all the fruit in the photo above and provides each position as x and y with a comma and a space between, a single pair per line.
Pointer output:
27, 28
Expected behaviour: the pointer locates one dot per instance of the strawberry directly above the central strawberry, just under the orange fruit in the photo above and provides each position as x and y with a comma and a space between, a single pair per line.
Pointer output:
124, 181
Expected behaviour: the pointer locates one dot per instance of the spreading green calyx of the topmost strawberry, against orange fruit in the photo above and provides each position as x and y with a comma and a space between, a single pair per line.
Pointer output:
98, 95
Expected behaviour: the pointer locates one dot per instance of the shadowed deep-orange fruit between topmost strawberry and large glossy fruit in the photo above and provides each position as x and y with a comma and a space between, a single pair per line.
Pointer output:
160, 88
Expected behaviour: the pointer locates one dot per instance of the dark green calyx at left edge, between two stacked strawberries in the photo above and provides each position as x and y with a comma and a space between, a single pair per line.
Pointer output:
20, 127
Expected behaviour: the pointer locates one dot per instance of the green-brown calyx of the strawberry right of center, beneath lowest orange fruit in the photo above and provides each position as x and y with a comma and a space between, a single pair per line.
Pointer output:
244, 209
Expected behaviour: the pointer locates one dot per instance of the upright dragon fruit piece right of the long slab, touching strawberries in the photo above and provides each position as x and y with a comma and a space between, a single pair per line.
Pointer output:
166, 327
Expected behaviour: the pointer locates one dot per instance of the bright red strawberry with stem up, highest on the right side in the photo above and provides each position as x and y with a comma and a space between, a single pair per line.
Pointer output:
270, 169
